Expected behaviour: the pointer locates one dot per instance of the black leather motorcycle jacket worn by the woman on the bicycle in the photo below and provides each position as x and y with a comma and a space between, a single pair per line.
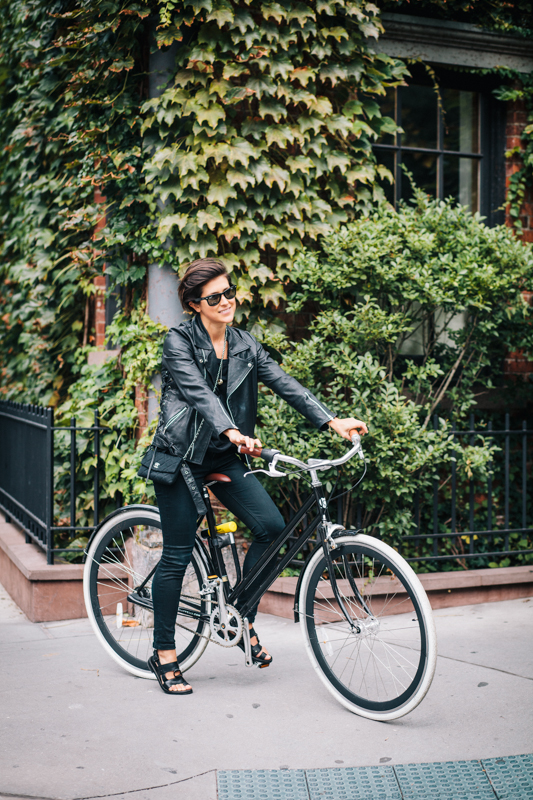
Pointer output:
190, 411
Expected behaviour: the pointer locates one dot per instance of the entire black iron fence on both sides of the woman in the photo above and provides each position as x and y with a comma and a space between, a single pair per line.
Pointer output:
472, 521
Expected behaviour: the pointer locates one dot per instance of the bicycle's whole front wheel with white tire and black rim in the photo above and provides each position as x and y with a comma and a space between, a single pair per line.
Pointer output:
380, 666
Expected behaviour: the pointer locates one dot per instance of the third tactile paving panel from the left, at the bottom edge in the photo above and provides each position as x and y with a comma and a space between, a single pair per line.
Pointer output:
455, 780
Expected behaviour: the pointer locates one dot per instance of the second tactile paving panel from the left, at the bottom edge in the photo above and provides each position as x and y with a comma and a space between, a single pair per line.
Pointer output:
353, 783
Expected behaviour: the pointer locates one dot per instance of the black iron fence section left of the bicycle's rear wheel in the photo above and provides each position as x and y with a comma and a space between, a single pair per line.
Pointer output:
27, 473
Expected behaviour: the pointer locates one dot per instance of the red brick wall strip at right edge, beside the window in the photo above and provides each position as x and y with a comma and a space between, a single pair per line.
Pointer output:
518, 363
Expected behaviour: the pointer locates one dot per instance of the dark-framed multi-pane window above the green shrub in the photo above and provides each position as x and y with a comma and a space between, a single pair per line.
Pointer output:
453, 142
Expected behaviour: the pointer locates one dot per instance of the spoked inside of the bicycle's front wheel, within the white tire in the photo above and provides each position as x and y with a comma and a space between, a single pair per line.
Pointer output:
376, 661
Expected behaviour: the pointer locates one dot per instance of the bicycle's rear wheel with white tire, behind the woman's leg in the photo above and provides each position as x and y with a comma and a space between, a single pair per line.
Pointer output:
119, 558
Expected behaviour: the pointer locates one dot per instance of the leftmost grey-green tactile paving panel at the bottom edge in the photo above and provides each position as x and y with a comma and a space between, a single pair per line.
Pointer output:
262, 784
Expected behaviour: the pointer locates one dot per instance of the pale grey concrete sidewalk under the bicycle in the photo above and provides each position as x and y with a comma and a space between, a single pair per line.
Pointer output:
74, 725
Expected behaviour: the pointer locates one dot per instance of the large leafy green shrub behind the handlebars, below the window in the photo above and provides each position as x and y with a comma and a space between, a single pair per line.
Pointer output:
381, 288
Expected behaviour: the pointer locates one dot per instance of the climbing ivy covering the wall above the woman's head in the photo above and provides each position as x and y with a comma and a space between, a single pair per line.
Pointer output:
260, 144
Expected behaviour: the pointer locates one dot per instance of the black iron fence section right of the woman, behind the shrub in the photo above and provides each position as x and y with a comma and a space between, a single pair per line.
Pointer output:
471, 521
